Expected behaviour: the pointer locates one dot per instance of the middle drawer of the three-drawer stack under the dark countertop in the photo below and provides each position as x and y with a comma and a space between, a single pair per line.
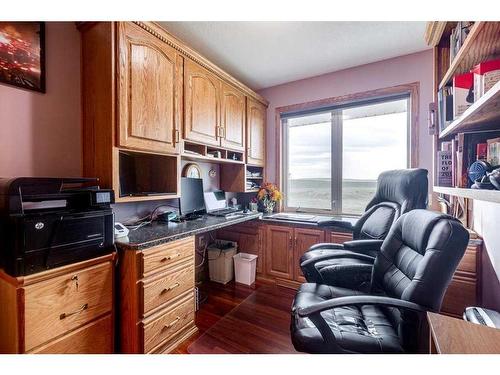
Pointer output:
162, 289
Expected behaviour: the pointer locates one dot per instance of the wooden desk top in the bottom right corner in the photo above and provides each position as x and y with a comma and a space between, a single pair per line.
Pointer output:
456, 336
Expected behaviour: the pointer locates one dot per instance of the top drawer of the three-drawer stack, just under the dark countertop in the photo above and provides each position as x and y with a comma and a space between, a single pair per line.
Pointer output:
160, 257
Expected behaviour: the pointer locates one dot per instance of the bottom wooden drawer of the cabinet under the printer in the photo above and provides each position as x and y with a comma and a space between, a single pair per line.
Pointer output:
93, 338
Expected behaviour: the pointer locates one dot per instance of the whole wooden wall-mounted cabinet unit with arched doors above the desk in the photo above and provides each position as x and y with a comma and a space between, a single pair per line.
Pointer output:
144, 91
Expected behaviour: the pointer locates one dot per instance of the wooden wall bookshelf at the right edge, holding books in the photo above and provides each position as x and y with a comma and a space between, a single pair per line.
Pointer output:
481, 44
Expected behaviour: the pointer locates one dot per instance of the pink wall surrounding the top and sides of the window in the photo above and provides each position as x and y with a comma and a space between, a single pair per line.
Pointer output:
400, 70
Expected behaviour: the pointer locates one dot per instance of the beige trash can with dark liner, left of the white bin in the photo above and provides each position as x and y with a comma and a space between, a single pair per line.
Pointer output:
220, 261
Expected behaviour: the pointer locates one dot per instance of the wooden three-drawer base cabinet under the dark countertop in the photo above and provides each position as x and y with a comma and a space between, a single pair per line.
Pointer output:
157, 303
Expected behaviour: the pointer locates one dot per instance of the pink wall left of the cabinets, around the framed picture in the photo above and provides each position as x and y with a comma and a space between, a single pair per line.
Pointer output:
40, 134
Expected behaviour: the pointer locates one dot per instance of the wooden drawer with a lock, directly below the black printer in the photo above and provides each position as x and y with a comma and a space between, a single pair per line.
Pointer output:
56, 306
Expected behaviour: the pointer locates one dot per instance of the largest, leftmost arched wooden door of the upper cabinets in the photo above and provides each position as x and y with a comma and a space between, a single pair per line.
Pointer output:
150, 89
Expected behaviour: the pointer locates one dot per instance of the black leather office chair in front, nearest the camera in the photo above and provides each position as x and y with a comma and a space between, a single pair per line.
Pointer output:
410, 276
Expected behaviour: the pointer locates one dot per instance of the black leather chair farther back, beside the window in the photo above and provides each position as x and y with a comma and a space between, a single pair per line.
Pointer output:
349, 264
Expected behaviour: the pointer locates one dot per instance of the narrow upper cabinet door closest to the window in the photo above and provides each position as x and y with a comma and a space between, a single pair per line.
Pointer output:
256, 128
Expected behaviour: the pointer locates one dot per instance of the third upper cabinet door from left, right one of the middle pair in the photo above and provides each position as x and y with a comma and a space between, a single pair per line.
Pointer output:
232, 118
